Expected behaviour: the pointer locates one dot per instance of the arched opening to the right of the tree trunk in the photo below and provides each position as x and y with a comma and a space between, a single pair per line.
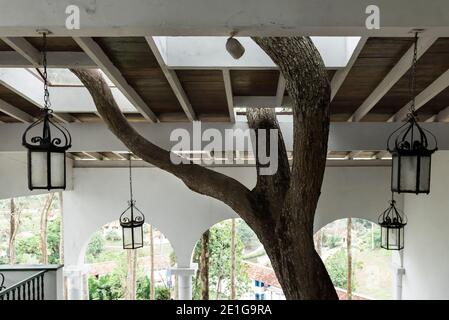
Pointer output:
365, 264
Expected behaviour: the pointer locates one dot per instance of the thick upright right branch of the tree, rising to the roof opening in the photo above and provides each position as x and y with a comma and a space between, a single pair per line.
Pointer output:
308, 87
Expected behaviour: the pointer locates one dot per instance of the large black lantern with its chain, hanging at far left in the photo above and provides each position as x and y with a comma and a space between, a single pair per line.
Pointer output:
46, 152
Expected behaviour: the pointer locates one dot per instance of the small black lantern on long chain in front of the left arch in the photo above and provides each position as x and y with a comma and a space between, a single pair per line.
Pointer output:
132, 220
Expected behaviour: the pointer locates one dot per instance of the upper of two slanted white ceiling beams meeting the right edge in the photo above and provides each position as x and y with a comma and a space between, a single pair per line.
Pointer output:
441, 83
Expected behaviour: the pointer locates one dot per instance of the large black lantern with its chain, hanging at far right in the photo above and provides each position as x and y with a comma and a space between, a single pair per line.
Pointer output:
411, 147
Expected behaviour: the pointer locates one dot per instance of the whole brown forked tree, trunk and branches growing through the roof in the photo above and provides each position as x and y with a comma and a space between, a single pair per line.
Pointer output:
281, 208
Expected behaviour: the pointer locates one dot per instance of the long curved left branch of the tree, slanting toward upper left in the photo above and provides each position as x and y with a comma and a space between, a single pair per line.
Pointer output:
195, 177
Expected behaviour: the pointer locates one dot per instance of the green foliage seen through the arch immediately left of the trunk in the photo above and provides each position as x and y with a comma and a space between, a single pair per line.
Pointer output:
220, 263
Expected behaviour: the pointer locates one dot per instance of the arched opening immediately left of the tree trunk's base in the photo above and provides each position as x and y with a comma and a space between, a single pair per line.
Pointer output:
254, 276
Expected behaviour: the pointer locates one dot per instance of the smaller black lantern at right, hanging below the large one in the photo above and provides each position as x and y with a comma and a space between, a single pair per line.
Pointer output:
392, 224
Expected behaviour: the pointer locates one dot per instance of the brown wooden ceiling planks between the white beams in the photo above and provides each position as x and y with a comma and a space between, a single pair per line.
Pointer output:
206, 92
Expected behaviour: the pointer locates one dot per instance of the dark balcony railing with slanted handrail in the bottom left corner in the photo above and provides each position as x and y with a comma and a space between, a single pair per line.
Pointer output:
31, 288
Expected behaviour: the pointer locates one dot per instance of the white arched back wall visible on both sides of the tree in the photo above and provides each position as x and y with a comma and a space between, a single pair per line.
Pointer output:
100, 196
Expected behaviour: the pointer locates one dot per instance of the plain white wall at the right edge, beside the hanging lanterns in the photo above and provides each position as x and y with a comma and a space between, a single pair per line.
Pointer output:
426, 253
